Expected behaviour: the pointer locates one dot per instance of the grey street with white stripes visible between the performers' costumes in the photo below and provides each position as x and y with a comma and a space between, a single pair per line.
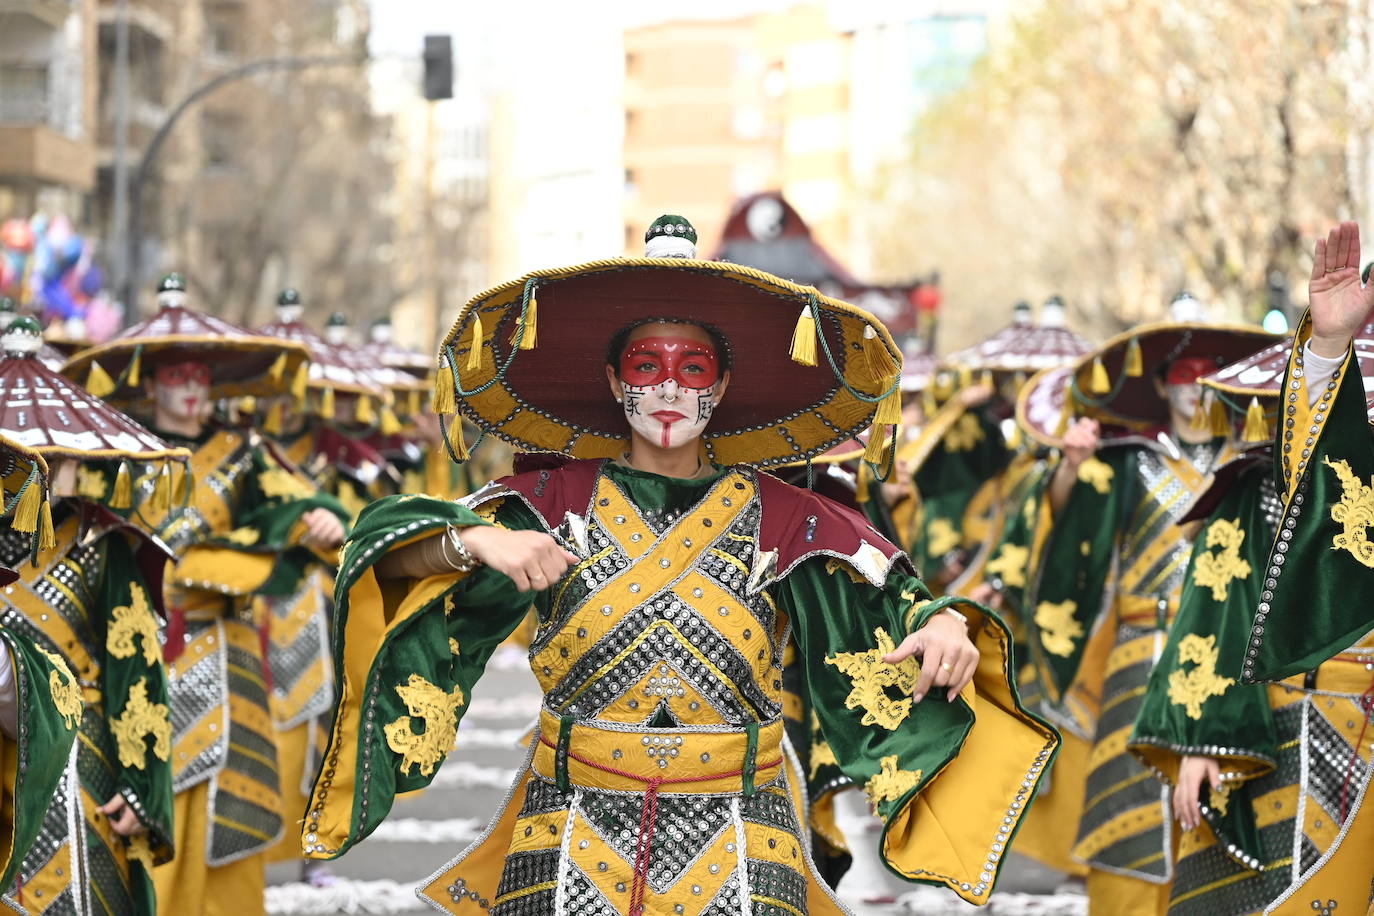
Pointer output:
379, 877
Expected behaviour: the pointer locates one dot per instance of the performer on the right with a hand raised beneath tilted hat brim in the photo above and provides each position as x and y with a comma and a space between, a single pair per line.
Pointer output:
1108, 582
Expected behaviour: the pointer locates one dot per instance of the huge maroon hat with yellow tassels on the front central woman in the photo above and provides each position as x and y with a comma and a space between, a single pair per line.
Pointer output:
526, 362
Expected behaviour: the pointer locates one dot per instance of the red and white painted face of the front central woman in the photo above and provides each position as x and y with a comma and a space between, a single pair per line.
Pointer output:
670, 388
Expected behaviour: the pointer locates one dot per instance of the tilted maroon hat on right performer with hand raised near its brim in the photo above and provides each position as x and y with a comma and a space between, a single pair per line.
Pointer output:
1115, 385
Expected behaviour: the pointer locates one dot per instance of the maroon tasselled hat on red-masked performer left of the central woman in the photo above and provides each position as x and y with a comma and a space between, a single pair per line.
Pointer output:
244, 363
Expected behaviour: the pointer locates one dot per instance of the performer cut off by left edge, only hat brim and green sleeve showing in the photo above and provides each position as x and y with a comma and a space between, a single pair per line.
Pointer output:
41, 697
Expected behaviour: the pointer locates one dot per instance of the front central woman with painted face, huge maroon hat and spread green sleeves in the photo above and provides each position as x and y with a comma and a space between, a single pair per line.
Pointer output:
667, 573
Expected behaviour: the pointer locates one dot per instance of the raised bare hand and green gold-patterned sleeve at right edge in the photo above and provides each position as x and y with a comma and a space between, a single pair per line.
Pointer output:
1320, 602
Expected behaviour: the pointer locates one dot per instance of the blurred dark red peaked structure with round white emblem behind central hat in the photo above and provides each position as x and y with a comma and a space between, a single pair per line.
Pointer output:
766, 233
